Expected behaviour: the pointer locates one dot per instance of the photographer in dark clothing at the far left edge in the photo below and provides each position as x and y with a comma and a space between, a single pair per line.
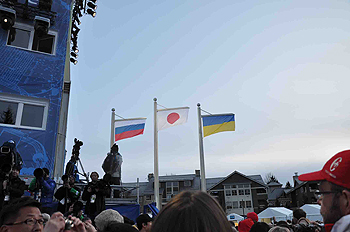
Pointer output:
11, 187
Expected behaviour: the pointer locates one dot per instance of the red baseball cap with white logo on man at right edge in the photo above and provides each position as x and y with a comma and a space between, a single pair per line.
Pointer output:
336, 170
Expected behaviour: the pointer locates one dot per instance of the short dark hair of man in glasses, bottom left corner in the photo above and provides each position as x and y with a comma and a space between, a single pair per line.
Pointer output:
11, 211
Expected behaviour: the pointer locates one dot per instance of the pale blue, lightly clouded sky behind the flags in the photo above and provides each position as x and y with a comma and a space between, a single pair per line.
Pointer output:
282, 67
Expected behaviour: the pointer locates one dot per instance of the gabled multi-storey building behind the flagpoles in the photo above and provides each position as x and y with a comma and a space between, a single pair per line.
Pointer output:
229, 191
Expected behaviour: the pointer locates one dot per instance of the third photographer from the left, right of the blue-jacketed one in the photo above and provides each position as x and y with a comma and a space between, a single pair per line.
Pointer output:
67, 194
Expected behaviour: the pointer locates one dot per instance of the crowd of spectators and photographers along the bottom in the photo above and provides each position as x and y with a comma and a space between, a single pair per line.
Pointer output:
186, 212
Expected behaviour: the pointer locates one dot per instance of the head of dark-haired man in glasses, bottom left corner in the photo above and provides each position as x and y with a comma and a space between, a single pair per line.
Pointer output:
22, 215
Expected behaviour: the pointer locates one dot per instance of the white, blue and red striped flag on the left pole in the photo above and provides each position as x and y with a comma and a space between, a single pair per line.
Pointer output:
128, 128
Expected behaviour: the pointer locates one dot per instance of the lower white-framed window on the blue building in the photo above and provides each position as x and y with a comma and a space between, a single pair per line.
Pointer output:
23, 112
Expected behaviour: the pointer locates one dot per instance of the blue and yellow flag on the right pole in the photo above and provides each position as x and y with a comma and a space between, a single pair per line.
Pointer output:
217, 123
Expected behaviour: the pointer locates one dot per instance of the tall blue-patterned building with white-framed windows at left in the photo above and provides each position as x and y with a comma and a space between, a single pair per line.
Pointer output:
34, 80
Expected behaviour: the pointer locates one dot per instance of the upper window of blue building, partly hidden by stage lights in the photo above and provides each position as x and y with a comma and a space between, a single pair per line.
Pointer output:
24, 36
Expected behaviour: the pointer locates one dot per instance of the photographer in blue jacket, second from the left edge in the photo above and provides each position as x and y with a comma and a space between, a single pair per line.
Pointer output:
43, 188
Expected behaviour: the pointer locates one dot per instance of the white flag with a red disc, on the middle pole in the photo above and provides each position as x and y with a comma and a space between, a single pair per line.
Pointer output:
171, 117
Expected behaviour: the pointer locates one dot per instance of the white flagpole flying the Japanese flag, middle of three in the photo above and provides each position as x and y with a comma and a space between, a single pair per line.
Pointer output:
156, 173
